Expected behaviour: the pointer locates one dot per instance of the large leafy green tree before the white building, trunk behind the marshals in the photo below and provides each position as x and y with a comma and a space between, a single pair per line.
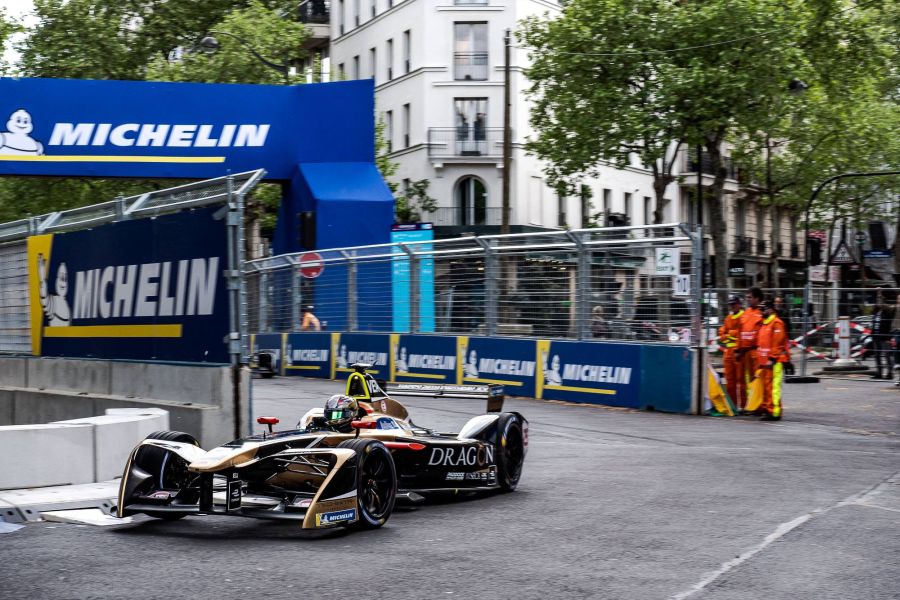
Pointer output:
612, 76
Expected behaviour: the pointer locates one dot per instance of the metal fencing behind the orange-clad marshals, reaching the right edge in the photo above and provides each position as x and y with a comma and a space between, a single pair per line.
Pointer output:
812, 316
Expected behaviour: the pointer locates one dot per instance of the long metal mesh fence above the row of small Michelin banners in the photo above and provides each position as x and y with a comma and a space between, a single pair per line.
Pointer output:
622, 283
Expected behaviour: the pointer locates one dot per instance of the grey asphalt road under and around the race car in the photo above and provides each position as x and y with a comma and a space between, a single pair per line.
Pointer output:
612, 504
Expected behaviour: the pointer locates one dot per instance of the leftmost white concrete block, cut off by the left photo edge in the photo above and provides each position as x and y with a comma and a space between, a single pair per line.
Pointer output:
51, 454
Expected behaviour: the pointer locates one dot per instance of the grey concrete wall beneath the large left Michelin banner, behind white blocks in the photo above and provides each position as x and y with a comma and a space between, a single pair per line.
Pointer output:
199, 398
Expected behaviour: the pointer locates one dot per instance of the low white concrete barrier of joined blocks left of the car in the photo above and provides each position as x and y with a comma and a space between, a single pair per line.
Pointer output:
74, 451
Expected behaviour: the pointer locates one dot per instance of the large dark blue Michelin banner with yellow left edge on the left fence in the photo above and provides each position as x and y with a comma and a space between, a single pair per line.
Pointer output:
147, 289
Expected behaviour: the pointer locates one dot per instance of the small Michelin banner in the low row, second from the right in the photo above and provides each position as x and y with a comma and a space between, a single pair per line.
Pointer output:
510, 362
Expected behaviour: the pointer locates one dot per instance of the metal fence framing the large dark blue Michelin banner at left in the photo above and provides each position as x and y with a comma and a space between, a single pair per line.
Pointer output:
15, 291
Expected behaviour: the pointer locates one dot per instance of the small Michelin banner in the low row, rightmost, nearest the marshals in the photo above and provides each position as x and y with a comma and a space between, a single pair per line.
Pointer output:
598, 373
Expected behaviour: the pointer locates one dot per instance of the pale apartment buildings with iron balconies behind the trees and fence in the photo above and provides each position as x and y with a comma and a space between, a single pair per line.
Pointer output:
438, 67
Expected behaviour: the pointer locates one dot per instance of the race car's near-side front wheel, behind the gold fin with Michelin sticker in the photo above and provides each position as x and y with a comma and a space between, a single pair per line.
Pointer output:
376, 481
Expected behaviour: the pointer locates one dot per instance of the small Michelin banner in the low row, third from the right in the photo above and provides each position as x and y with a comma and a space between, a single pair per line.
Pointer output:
423, 359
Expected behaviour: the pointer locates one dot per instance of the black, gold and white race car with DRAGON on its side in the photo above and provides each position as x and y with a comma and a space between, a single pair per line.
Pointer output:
344, 465
